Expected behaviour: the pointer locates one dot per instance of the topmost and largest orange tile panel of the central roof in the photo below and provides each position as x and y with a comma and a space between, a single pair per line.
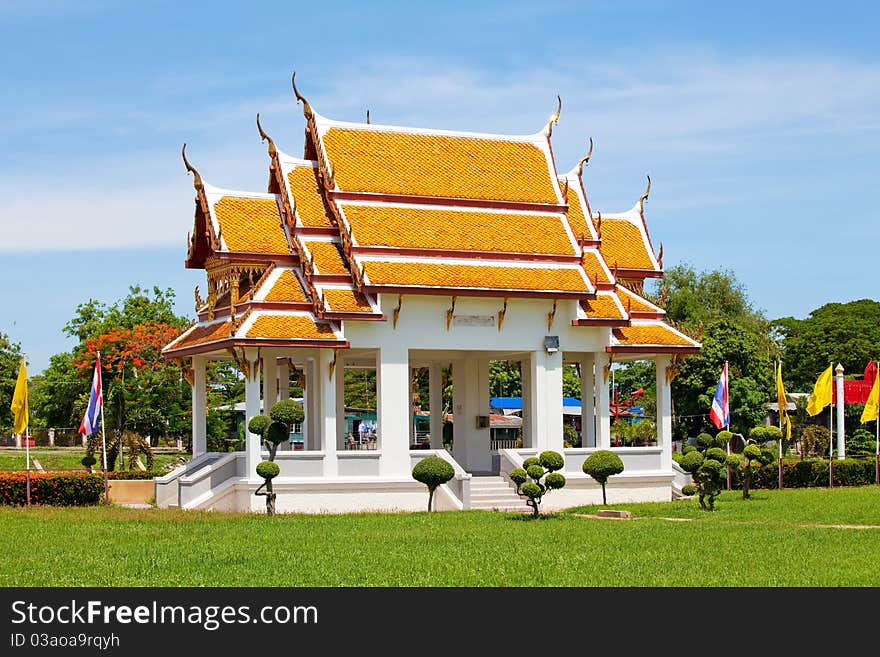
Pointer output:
438, 165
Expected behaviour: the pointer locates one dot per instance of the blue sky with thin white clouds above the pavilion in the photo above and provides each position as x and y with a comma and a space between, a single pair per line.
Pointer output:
758, 123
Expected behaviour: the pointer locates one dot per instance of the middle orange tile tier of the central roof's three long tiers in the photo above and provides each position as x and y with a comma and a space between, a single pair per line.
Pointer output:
423, 228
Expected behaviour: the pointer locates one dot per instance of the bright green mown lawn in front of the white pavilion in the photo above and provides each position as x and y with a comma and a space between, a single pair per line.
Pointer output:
761, 542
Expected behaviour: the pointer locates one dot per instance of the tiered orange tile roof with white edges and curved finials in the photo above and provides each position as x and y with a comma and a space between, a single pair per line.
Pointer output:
373, 209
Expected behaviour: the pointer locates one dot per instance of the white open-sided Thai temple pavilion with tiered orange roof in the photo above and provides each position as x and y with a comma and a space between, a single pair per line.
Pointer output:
392, 248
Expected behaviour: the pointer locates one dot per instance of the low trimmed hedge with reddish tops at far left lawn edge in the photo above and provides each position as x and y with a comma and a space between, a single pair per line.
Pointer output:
51, 488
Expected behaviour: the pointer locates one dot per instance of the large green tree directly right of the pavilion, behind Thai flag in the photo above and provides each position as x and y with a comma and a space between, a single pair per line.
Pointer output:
733, 331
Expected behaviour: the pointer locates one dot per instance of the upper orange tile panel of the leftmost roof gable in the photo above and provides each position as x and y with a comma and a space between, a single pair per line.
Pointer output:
251, 224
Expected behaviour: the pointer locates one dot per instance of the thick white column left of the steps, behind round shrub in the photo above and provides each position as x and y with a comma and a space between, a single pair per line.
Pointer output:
393, 409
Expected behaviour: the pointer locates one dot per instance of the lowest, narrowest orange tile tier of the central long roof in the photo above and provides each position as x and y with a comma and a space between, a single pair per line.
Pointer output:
474, 276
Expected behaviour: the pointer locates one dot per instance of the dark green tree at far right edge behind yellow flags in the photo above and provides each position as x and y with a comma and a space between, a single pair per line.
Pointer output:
846, 333
